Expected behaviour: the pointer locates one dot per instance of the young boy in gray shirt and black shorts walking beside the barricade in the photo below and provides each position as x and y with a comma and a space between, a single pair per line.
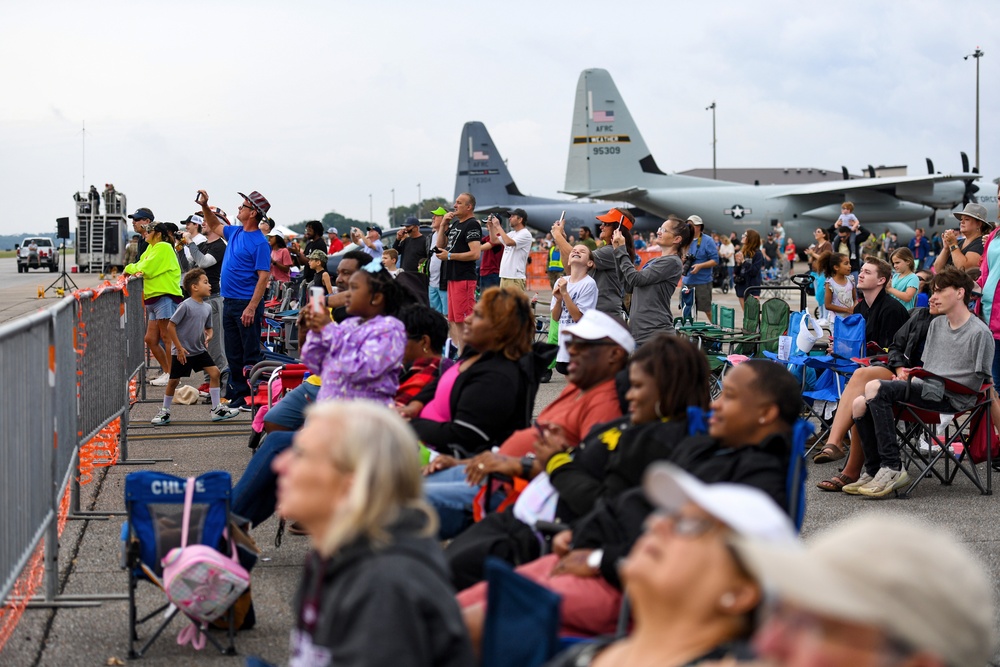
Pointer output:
189, 331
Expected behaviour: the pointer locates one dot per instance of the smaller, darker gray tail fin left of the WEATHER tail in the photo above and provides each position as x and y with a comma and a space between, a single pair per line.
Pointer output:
481, 170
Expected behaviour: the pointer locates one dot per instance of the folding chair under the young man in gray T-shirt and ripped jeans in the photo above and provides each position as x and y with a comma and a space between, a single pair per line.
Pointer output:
957, 449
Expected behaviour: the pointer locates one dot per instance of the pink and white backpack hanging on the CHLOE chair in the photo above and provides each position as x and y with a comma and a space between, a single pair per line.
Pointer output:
200, 580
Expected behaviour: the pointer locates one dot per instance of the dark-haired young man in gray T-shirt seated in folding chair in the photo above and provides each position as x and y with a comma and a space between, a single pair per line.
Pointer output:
959, 347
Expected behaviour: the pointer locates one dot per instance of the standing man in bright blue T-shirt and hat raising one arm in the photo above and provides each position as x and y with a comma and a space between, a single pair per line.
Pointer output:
246, 269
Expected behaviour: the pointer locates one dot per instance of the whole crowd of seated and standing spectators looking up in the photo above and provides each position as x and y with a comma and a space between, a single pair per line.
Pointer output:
410, 455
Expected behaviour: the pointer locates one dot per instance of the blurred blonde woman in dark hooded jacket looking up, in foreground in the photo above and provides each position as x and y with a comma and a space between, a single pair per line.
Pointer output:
376, 589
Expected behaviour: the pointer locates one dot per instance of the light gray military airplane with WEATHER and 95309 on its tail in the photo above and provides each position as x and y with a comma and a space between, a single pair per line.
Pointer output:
609, 160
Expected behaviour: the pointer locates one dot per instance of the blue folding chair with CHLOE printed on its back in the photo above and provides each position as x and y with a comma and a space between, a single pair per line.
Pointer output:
154, 502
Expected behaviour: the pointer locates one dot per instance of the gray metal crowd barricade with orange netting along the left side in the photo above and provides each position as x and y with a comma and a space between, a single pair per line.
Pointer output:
65, 375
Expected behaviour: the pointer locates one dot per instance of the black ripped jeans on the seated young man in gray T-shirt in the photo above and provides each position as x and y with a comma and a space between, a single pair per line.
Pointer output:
877, 427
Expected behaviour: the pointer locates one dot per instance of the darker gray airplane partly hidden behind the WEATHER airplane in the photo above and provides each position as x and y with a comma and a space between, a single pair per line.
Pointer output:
483, 172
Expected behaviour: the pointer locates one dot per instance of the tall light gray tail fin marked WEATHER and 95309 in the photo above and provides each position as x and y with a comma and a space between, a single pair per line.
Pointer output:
606, 150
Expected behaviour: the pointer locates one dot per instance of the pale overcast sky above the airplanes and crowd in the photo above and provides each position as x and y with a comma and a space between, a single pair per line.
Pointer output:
318, 104
